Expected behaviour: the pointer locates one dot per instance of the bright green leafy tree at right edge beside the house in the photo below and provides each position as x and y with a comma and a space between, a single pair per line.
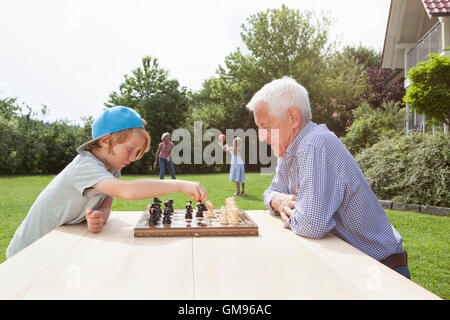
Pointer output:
429, 93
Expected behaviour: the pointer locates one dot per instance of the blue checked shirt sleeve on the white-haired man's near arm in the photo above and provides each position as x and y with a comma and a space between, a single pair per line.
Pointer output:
320, 193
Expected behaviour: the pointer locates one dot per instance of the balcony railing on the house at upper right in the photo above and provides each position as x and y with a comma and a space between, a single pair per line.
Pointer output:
431, 42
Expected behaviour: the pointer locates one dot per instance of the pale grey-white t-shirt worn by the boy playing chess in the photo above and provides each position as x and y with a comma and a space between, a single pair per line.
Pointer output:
63, 201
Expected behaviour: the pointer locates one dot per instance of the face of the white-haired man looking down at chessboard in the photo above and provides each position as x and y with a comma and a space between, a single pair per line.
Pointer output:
272, 129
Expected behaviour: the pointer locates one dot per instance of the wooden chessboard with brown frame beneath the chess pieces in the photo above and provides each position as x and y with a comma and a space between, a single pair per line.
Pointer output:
246, 227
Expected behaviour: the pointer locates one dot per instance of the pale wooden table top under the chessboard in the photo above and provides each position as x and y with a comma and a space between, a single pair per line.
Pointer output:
72, 263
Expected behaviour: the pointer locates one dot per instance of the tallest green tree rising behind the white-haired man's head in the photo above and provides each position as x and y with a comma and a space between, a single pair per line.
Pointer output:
281, 42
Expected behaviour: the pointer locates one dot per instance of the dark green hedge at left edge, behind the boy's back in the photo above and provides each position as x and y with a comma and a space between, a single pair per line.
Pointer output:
29, 146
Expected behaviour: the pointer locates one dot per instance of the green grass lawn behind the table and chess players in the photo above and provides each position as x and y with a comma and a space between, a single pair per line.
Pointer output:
425, 237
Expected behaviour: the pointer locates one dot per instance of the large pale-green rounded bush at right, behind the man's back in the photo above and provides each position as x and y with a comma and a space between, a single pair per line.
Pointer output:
409, 169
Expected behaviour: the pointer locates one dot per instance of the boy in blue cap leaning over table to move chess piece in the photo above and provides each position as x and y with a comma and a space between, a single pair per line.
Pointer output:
86, 187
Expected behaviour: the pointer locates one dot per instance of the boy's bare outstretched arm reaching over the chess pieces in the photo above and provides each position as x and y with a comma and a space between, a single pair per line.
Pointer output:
148, 188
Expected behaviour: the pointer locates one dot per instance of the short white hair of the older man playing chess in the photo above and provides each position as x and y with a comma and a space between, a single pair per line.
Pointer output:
282, 94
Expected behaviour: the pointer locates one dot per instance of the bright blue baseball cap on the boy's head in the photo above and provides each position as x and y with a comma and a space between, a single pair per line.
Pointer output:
112, 120
